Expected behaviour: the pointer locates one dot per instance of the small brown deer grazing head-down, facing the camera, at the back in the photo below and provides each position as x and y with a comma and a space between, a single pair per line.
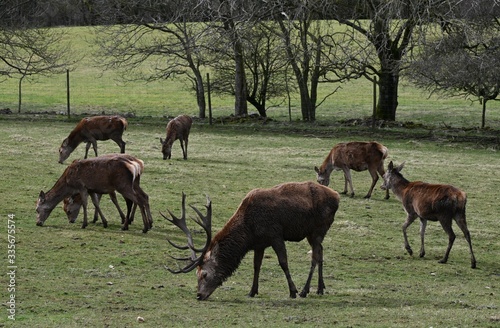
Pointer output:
178, 128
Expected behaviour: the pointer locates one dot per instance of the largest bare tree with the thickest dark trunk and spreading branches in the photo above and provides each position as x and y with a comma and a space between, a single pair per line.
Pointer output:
391, 29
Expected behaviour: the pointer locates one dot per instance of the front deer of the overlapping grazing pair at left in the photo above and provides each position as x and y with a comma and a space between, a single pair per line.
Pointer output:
98, 175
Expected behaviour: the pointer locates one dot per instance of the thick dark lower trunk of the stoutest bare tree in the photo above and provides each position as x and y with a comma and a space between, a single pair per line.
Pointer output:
387, 95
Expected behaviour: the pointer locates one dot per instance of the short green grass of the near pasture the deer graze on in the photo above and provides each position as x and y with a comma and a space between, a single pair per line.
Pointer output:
72, 277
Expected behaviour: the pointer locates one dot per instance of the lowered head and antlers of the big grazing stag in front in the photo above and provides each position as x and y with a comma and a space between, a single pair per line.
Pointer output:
195, 261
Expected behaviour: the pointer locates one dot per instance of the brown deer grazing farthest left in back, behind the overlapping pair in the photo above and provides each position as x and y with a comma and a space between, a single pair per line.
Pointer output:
91, 129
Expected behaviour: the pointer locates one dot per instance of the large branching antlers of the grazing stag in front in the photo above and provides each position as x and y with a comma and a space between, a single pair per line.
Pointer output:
204, 221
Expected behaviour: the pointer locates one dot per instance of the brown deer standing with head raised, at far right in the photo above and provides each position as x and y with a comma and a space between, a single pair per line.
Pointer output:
429, 202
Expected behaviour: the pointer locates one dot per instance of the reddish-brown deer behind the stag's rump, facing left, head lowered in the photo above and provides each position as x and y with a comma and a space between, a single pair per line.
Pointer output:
357, 156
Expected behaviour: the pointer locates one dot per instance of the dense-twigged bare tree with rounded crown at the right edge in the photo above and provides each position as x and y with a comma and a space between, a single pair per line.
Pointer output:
464, 59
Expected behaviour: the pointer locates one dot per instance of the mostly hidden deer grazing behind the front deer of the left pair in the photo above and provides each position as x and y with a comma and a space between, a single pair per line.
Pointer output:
72, 204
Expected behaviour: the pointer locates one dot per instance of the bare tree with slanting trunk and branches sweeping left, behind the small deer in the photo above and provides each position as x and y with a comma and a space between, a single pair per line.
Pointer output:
164, 36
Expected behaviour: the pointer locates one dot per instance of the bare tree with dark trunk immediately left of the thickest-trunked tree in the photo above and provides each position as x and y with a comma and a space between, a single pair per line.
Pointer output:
314, 50
